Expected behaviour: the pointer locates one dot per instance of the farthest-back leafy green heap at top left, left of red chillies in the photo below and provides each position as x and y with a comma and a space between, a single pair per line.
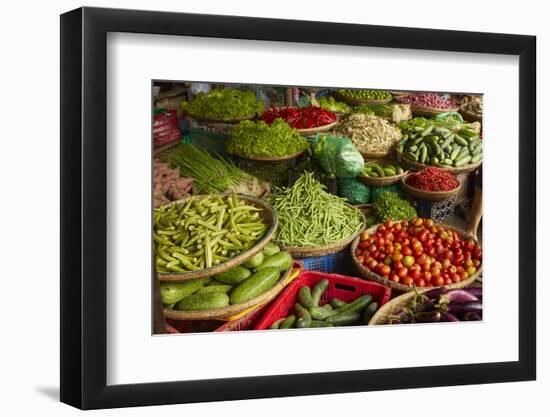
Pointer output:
223, 104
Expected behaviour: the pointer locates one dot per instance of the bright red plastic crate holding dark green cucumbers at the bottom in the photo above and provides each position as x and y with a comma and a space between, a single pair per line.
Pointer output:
345, 288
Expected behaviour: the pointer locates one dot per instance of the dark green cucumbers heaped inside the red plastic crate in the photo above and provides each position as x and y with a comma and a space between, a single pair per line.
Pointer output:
307, 312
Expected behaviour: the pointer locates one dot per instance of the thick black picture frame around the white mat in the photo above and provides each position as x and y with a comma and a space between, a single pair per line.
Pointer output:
83, 207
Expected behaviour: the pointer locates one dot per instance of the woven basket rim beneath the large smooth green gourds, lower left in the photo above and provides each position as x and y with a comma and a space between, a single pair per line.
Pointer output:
231, 310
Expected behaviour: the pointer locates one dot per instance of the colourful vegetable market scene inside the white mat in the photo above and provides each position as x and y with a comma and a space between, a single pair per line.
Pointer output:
278, 208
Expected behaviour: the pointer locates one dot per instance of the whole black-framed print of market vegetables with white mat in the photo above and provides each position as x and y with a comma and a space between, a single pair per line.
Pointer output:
322, 203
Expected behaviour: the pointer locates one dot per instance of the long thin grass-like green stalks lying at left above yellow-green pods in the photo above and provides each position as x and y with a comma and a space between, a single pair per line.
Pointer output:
211, 174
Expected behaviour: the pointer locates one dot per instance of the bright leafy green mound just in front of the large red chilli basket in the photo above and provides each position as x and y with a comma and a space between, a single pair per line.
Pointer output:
258, 139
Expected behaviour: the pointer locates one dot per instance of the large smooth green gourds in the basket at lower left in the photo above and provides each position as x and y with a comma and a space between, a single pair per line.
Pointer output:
235, 286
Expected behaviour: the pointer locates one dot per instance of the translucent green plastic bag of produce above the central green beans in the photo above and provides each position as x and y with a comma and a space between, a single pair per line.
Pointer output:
338, 156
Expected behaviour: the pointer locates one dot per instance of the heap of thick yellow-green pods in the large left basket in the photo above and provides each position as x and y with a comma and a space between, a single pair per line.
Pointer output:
201, 233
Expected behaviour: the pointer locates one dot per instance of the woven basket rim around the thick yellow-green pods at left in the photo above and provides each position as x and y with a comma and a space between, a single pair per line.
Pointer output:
268, 215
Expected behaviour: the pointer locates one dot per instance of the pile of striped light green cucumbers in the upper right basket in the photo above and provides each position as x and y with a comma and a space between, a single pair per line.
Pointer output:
439, 146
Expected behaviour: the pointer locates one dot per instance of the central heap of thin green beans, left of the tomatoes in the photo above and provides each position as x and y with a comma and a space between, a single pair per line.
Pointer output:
309, 216
